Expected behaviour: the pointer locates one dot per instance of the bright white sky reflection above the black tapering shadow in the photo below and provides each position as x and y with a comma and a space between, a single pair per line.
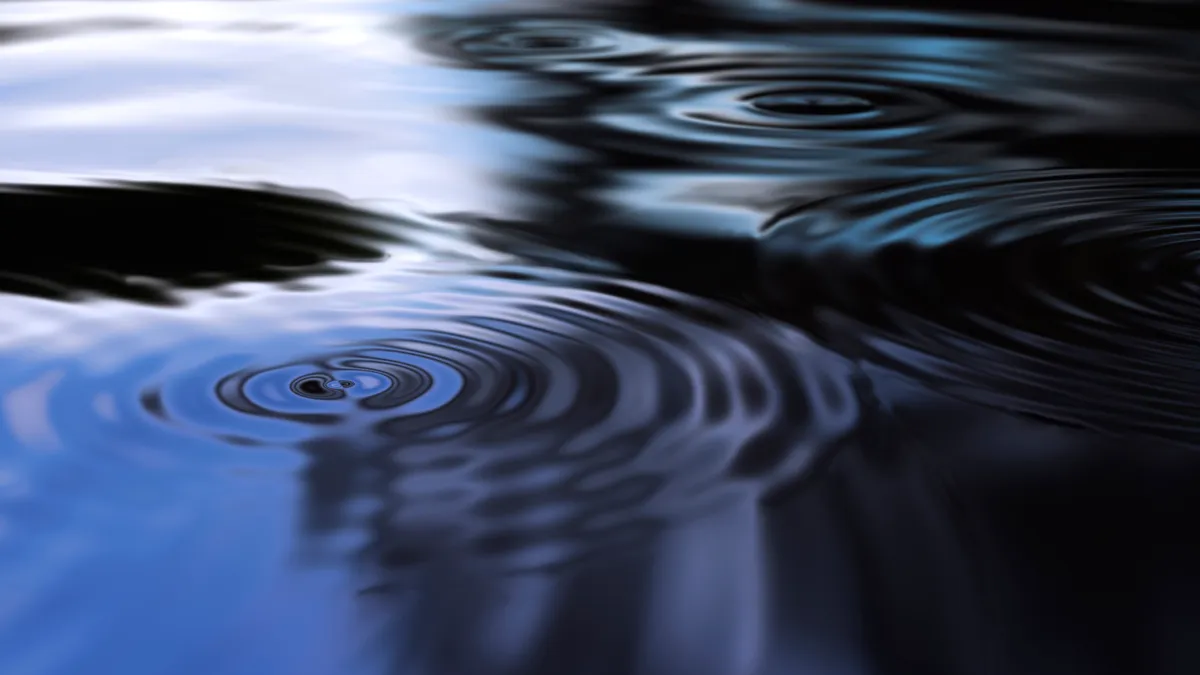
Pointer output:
307, 94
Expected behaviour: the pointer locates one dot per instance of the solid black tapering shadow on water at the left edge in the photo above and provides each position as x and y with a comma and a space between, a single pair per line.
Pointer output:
147, 242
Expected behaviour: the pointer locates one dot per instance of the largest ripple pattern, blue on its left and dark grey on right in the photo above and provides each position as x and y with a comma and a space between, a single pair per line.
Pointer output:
519, 419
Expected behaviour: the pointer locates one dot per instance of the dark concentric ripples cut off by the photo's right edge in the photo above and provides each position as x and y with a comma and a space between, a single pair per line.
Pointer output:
1071, 295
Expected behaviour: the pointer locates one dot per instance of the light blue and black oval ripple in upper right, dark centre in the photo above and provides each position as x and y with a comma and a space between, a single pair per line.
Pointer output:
784, 110
